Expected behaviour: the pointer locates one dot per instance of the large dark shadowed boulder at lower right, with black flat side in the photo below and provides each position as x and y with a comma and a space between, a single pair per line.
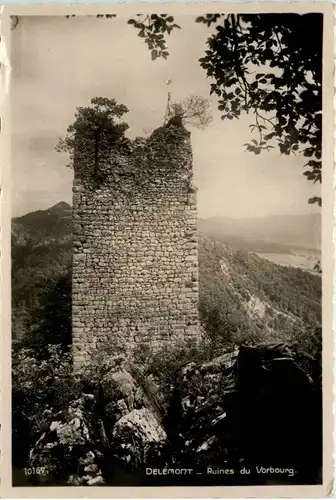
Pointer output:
255, 404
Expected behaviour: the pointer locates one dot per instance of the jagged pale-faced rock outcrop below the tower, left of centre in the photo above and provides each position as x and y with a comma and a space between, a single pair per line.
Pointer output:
121, 426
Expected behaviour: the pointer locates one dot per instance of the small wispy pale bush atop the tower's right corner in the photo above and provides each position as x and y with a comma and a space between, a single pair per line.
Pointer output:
194, 111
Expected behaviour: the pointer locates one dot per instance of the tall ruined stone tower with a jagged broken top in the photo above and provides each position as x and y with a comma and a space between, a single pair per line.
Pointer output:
135, 260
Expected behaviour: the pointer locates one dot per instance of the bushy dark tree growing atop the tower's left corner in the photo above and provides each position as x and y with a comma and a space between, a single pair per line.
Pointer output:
94, 133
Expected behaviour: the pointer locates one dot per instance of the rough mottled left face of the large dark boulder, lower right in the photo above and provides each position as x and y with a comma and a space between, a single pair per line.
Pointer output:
198, 416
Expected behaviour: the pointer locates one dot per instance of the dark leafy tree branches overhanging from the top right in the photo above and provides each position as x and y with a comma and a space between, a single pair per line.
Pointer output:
269, 65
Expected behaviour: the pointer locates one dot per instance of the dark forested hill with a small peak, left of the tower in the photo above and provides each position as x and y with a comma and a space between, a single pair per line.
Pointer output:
41, 272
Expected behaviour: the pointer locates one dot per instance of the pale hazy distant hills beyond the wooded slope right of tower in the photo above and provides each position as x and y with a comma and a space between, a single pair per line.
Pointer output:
277, 234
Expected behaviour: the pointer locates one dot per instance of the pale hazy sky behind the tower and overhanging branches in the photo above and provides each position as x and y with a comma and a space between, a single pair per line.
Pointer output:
59, 64
